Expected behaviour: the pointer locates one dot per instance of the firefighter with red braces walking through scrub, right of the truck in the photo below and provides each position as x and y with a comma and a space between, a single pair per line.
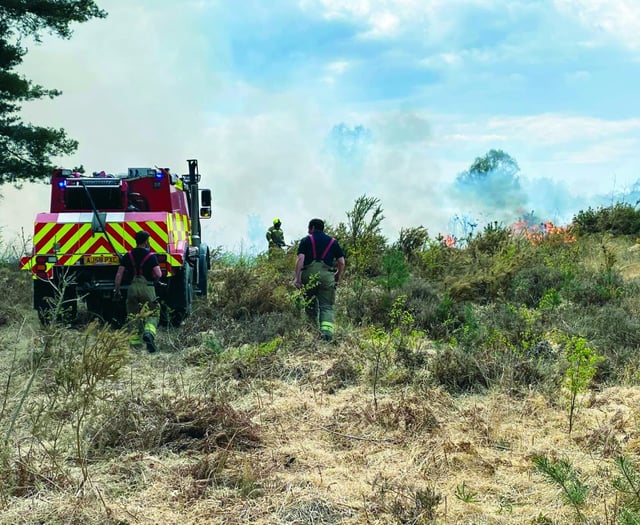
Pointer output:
319, 267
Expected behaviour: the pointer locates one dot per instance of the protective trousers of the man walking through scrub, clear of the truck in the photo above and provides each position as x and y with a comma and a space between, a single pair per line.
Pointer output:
320, 292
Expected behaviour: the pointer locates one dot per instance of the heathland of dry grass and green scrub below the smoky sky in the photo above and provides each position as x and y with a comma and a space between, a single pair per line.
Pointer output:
489, 379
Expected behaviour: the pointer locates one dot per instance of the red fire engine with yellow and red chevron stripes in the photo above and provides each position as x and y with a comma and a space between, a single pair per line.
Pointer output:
92, 222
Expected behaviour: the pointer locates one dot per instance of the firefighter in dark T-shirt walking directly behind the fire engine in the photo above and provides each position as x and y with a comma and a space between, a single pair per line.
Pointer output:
141, 268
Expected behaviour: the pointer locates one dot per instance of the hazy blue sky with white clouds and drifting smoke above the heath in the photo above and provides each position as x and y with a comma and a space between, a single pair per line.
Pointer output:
295, 108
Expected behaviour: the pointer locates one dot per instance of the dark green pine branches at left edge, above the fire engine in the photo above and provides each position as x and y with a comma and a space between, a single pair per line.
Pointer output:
26, 149
